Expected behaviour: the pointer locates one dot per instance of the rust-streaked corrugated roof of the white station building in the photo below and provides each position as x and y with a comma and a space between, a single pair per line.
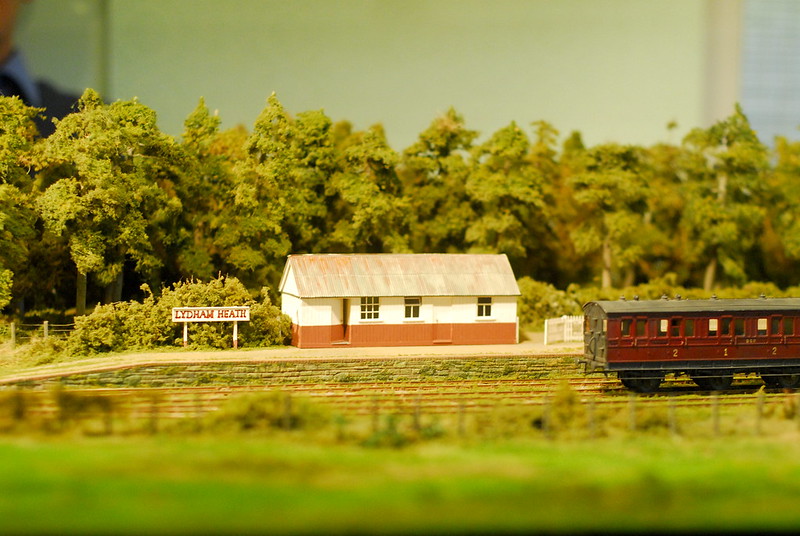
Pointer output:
357, 275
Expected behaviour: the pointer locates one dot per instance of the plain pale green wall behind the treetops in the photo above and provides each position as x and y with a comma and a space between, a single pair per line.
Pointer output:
617, 70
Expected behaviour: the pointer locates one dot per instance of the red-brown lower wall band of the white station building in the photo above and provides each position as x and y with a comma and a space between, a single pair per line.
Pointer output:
404, 334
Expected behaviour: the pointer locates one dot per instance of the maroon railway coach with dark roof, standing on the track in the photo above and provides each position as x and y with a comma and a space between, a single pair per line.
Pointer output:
708, 340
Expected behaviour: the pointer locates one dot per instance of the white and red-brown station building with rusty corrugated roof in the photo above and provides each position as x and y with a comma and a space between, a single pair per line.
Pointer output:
400, 299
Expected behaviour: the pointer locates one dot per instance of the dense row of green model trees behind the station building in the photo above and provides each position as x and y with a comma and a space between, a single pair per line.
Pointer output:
112, 195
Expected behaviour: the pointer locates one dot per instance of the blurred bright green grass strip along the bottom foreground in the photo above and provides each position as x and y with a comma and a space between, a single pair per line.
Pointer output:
281, 484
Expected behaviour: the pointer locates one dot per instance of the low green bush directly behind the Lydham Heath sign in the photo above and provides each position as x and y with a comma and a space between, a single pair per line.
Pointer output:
134, 325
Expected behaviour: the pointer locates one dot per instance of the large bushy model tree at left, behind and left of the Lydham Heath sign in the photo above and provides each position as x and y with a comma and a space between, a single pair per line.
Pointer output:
103, 197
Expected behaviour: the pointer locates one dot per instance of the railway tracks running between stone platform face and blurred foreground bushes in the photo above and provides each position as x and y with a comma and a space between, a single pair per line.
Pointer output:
364, 398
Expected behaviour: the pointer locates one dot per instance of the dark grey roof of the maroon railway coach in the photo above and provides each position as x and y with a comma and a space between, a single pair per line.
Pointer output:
619, 307
